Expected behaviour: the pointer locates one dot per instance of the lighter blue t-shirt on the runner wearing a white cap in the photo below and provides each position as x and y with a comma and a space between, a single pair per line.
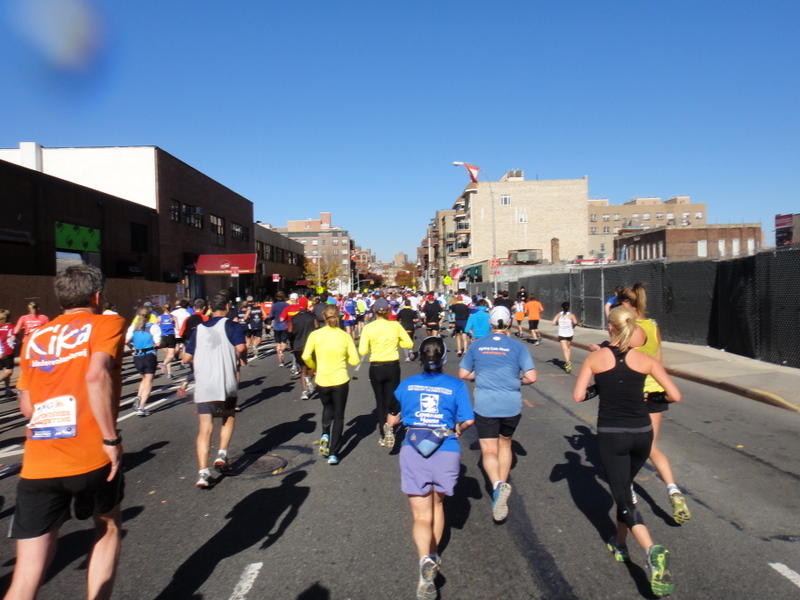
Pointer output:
498, 362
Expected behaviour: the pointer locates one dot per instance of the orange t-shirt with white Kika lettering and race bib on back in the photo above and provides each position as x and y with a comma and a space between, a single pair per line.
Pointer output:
64, 438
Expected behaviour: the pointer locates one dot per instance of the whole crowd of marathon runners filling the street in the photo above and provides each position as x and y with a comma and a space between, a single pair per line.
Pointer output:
317, 337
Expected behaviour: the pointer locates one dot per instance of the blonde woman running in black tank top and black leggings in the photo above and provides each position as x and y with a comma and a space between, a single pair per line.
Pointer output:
625, 433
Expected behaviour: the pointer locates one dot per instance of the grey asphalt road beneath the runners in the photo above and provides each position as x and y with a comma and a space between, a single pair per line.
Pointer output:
342, 532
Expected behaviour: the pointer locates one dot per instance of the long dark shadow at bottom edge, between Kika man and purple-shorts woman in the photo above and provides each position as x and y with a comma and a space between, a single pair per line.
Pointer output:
251, 521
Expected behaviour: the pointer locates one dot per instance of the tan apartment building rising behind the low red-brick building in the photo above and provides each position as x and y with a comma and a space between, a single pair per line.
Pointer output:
605, 221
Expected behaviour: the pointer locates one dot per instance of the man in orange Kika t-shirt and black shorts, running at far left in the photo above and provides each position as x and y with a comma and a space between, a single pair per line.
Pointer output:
70, 389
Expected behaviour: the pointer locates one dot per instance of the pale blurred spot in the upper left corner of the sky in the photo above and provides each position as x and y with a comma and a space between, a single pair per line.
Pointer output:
62, 54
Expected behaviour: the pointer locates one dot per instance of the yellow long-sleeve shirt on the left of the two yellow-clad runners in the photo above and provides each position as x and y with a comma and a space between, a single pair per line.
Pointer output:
328, 351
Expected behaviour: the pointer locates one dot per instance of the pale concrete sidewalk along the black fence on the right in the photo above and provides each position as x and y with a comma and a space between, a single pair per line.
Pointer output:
761, 381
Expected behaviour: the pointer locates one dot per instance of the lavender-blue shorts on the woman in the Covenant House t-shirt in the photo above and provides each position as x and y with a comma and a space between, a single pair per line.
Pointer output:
418, 474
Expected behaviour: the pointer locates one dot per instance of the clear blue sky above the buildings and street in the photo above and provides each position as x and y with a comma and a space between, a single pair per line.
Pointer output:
359, 108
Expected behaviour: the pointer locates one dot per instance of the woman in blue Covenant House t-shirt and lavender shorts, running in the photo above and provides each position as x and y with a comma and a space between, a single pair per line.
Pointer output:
426, 403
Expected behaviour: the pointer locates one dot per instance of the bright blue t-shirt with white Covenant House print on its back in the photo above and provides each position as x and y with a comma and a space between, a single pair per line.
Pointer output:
434, 400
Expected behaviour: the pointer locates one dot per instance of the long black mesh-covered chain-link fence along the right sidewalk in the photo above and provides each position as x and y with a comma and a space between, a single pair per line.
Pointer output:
748, 306
